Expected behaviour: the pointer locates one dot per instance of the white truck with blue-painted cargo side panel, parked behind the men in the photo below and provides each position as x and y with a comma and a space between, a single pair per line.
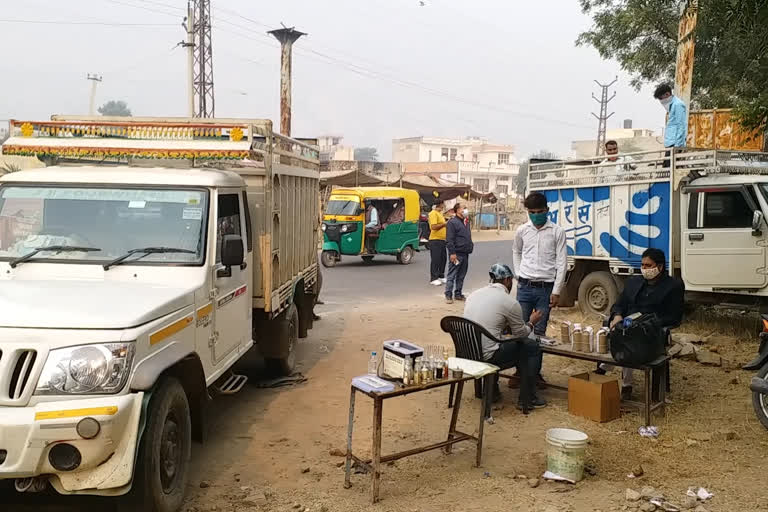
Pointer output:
704, 208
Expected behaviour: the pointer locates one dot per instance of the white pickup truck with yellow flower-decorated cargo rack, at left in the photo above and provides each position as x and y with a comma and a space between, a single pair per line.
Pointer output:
129, 289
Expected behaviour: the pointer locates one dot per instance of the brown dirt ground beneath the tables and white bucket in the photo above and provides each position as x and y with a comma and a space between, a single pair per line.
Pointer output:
278, 456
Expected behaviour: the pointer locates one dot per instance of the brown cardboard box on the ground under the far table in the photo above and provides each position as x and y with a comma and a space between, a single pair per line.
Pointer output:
594, 396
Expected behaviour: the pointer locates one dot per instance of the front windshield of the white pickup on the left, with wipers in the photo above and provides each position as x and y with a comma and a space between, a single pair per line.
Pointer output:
112, 220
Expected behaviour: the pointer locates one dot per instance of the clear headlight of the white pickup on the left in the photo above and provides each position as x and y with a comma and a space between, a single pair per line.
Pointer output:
86, 369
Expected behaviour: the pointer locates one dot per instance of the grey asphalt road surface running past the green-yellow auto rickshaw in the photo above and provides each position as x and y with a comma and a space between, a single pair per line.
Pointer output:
354, 281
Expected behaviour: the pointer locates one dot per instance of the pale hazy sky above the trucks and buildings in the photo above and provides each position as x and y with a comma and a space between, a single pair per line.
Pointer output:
369, 70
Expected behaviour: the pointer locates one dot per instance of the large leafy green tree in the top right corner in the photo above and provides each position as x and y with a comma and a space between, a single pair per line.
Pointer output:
731, 58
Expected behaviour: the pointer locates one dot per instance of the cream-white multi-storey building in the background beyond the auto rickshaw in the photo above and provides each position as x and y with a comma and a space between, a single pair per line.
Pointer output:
470, 160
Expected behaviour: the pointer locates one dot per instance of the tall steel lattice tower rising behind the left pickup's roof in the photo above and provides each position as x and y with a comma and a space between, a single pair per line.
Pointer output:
199, 23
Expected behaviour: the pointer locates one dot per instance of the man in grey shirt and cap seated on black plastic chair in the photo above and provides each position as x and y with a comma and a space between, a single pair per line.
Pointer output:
500, 314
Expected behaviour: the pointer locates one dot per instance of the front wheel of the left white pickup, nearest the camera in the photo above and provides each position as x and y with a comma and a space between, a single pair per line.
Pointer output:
165, 448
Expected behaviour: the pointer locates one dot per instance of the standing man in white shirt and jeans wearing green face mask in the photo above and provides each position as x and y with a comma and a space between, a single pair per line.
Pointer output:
540, 259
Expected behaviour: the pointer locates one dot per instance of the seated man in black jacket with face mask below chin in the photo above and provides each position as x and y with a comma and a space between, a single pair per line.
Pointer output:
654, 292
